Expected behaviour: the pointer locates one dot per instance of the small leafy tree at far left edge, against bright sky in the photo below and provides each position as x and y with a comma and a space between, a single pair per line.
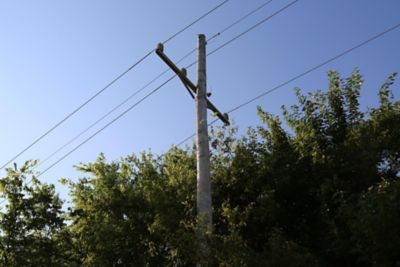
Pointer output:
32, 227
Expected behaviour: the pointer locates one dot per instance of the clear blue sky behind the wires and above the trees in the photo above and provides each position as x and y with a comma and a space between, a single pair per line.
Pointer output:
56, 54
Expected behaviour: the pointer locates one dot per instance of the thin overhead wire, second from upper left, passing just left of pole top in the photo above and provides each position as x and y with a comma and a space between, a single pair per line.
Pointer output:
149, 83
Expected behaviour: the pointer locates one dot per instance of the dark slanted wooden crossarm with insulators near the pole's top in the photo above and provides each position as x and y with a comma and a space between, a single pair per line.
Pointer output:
188, 84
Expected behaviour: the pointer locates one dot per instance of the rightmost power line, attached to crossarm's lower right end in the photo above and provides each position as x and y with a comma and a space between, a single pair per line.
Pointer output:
266, 92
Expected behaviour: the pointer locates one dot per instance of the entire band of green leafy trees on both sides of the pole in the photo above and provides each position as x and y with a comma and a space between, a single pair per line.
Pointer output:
319, 189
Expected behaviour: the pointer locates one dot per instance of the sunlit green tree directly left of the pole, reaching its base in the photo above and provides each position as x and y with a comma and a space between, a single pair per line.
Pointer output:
136, 212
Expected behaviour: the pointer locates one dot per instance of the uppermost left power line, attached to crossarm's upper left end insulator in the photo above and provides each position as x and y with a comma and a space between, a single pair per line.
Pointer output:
109, 85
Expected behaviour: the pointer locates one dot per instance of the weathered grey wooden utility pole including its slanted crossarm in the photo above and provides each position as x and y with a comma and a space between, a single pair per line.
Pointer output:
199, 92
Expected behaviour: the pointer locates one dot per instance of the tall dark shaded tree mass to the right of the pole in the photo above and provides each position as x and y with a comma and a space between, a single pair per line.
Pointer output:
304, 194
